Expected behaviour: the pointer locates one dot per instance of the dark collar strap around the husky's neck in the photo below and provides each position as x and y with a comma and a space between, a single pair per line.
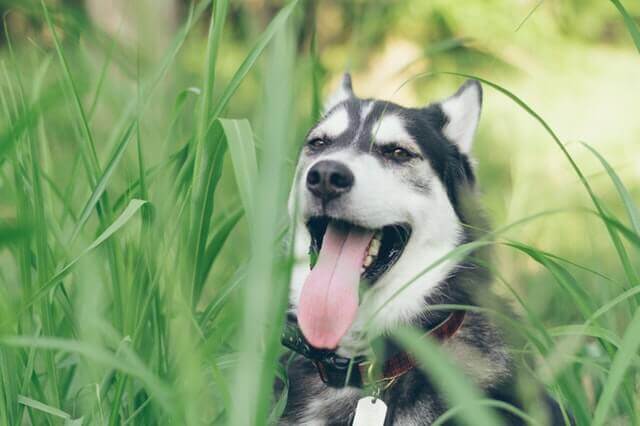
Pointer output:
337, 371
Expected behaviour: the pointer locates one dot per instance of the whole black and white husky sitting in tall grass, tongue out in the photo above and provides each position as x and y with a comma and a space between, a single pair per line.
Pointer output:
381, 193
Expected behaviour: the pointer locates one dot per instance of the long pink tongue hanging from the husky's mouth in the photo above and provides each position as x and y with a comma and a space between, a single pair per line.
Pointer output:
329, 299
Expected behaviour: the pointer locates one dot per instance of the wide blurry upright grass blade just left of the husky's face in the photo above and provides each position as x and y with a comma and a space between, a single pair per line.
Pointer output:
264, 295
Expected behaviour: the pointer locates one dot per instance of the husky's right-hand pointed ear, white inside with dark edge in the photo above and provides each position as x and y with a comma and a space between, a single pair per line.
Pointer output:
462, 111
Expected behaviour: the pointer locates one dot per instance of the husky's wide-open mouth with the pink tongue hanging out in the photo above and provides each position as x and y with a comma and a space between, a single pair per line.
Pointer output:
343, 254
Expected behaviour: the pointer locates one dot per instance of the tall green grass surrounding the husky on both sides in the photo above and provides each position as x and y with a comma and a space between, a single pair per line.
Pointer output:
144, 241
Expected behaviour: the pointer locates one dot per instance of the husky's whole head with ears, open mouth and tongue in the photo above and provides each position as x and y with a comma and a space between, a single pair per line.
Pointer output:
376, 198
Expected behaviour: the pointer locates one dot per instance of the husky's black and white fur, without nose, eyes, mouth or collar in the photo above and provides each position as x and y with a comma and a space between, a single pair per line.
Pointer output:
433, 192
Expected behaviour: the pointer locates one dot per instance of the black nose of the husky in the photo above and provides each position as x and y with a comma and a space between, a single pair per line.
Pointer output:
329, 179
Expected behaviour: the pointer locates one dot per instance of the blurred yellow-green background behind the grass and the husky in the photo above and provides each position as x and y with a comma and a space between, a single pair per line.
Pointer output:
572, 61
